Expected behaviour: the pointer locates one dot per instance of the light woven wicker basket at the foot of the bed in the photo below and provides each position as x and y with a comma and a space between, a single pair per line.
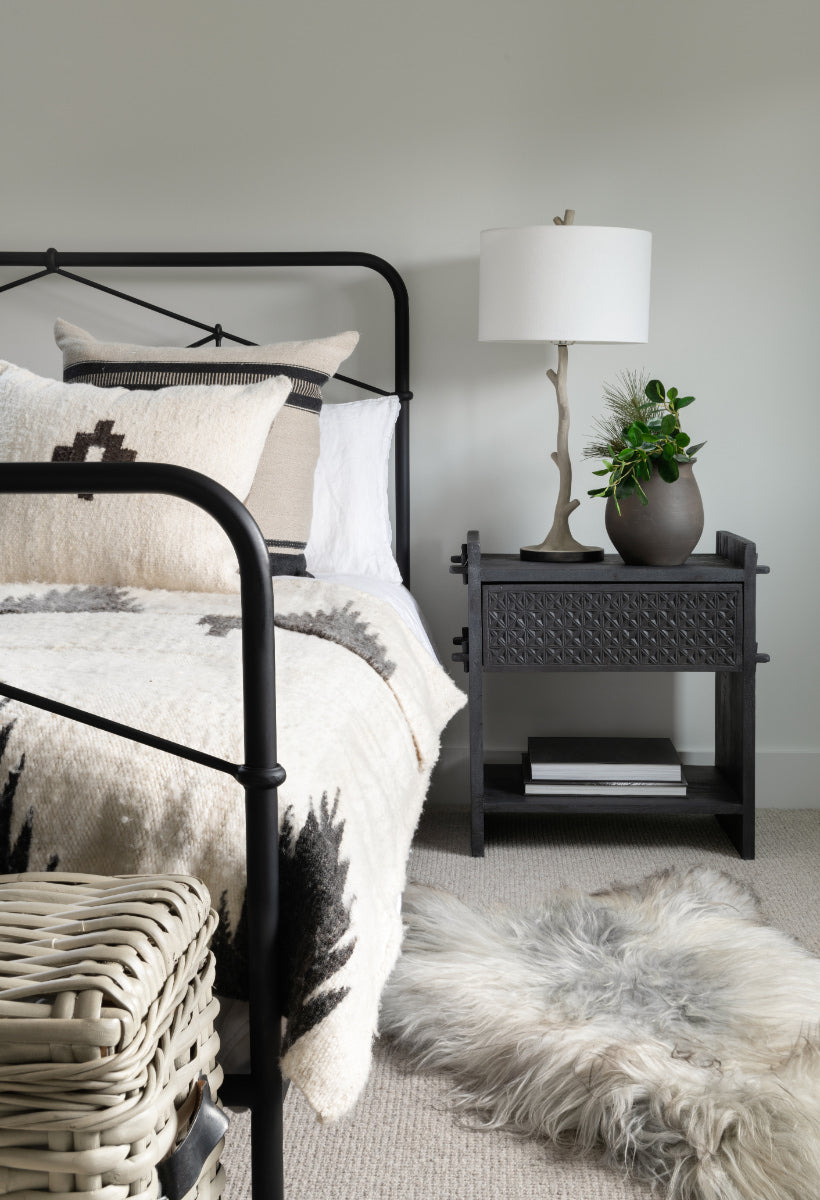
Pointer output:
106, 1025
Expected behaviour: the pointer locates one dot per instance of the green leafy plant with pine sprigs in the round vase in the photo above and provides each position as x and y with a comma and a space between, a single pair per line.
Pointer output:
641, 434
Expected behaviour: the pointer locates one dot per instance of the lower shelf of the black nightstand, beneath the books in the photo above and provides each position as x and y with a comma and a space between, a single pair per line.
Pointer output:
708, 793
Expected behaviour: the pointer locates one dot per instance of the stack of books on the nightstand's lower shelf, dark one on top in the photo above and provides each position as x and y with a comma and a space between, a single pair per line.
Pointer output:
625, 767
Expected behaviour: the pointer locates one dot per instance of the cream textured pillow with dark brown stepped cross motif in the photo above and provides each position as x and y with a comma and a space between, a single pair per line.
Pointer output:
153, 542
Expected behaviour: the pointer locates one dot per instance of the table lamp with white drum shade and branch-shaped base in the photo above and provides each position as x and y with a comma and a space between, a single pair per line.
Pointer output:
565, 284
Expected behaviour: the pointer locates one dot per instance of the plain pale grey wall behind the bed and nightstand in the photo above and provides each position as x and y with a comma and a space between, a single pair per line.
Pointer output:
405, 129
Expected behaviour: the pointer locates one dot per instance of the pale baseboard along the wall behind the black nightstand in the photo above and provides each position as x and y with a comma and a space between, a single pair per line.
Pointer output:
786, 779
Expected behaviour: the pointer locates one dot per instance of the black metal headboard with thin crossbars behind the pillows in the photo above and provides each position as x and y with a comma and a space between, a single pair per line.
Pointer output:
51, 262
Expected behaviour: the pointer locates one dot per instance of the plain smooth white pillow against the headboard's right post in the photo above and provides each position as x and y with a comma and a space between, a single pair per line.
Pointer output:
351, 531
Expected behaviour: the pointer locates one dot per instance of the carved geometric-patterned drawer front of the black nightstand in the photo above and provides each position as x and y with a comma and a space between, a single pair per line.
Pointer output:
615, 628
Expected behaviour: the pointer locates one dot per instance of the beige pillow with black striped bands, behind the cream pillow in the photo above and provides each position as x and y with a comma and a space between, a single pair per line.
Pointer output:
282, 499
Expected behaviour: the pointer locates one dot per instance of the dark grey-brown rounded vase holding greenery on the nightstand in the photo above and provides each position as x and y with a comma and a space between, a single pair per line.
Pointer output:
665, 532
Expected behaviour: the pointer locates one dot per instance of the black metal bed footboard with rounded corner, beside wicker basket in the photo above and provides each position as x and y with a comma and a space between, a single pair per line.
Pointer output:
260, 775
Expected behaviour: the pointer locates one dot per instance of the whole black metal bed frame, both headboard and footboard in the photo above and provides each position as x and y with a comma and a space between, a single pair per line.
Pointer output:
260, 775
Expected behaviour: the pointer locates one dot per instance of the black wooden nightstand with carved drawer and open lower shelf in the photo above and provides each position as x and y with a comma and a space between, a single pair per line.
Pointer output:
607, 616
